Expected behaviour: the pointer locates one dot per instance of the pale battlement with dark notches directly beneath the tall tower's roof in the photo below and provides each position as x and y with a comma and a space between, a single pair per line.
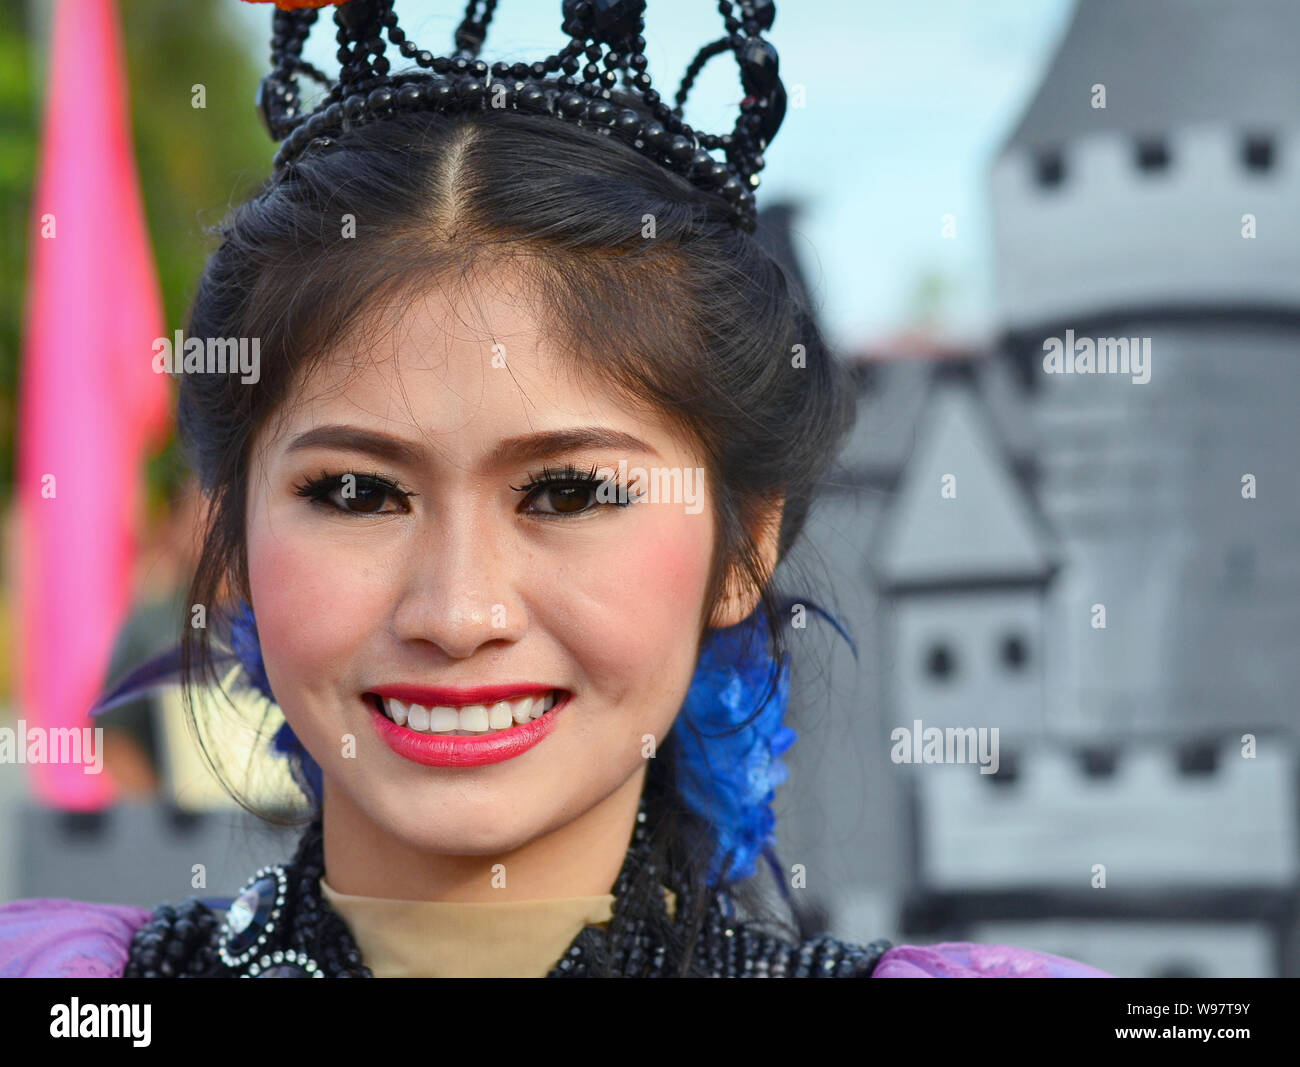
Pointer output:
1112, 223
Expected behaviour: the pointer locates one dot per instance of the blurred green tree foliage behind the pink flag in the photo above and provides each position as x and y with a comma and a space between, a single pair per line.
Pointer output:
194, 162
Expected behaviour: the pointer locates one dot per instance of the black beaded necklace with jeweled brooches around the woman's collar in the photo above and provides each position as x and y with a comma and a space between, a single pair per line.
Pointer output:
281, 927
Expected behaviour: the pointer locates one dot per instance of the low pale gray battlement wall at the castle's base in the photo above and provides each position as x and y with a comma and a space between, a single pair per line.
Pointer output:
1151, 825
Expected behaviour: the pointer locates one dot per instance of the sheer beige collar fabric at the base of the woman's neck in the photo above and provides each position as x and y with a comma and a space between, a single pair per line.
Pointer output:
457, 940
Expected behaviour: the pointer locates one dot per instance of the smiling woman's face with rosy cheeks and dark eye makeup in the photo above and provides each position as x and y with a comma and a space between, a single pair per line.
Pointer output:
473, 579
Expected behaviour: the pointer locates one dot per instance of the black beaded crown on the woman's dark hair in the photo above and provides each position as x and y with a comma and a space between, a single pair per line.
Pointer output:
601, 32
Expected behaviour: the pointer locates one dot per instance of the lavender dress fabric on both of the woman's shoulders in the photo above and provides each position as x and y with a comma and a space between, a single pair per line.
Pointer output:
44, 939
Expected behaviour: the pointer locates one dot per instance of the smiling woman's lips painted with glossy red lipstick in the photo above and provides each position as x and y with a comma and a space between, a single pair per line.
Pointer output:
454, 751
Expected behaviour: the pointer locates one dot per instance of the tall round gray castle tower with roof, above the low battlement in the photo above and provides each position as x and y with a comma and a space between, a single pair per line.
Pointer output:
1168, 224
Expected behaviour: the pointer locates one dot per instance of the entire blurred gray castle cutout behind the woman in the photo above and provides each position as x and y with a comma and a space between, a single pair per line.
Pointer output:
1121, 747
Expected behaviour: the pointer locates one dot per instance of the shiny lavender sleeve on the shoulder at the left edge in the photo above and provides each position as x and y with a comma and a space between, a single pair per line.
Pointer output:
57, 939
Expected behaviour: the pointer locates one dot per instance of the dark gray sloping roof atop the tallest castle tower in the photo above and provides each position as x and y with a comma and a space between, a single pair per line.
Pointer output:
1168, 64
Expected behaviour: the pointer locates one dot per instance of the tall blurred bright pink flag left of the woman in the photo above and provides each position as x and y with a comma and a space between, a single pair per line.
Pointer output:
90, 404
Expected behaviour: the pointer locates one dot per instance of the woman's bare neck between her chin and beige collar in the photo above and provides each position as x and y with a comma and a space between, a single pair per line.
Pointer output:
580, 860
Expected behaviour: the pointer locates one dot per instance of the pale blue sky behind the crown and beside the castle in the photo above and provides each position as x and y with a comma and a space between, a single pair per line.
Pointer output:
905, 107
